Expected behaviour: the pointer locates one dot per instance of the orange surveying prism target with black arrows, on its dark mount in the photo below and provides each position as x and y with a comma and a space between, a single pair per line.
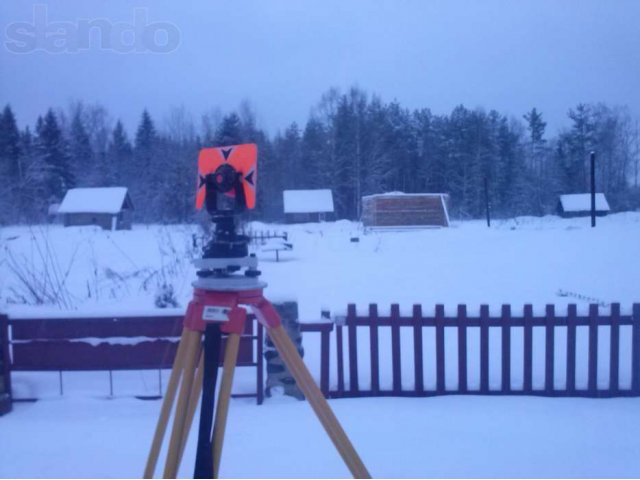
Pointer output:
226, 188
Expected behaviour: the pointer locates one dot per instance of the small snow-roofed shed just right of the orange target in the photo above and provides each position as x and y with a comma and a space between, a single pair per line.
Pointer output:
302, 206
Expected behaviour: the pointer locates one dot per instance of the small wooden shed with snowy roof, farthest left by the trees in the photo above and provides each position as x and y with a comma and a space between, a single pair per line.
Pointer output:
108, 207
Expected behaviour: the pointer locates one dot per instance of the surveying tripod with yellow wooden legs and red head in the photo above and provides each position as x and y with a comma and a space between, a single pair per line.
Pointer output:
217, 304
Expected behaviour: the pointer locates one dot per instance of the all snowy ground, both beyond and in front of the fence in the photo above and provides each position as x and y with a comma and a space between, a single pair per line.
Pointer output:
528, 260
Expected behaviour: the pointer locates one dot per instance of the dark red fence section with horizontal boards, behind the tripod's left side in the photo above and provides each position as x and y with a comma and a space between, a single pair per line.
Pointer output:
113, 343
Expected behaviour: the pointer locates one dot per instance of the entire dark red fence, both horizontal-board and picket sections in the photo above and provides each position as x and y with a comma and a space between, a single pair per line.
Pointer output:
593, 354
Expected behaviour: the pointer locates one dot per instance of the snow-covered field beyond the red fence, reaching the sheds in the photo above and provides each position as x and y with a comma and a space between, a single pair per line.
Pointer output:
524, 260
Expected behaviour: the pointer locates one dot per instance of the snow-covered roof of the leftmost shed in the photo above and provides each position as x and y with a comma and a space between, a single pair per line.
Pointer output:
94, 200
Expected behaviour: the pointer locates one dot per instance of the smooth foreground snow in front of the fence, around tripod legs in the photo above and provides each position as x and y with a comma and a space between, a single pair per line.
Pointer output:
78, 436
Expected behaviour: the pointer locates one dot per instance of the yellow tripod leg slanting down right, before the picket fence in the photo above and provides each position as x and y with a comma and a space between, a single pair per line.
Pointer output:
316, 399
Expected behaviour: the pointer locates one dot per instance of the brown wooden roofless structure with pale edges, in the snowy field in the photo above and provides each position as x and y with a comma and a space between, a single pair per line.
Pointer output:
400, 210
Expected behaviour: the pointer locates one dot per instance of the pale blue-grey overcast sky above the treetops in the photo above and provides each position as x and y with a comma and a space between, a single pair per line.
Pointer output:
282, 55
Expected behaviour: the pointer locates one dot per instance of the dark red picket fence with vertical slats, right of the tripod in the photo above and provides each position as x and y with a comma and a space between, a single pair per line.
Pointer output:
608, 364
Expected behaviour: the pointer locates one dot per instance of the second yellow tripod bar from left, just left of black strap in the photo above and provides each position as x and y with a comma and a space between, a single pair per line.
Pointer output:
192, 354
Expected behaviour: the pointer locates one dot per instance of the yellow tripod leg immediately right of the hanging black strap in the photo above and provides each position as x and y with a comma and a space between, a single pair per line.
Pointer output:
230, 359
